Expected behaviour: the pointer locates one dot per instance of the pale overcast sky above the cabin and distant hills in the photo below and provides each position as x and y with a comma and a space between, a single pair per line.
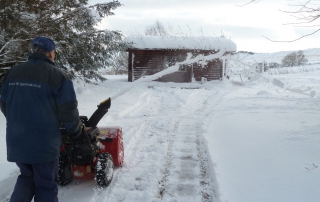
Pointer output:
246, 25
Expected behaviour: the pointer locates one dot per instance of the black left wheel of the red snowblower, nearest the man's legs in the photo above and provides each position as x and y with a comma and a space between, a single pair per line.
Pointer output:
65, 171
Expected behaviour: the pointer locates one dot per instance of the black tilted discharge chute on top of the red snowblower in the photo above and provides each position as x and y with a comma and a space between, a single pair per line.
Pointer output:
99, 113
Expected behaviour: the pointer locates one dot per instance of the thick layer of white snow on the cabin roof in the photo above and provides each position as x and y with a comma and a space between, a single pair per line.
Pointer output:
189, 43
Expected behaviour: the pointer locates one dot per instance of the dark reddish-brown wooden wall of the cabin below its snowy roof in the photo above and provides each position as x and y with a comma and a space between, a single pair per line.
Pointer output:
149, 62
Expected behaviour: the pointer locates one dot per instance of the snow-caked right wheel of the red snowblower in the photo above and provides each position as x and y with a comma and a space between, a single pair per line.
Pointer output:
104, 170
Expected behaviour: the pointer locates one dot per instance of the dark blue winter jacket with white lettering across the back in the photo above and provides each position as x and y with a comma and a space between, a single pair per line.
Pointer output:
36, 98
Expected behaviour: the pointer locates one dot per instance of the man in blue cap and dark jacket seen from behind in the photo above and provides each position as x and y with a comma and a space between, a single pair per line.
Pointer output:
36, 98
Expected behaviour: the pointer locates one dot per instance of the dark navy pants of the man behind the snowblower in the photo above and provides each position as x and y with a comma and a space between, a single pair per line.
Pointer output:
38, 181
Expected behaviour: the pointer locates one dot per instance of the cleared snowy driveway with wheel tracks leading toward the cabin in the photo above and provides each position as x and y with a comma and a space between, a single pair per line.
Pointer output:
165, 156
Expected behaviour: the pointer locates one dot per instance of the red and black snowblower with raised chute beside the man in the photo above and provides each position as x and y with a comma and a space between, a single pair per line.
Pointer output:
94, 153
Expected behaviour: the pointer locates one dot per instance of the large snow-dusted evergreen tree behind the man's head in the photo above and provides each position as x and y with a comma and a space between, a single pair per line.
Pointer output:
82, 47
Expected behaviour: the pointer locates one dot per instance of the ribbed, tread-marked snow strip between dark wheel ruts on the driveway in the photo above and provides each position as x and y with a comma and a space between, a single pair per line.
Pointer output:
185, 175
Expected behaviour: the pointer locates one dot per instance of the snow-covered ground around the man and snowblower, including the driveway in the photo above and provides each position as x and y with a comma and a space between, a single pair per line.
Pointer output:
218, 141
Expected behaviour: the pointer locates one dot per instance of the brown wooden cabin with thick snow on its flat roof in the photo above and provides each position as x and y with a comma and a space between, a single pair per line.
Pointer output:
151, 54
